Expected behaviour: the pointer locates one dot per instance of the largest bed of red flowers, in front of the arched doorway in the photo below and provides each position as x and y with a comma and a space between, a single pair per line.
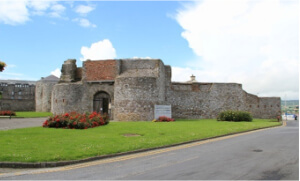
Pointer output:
75, 120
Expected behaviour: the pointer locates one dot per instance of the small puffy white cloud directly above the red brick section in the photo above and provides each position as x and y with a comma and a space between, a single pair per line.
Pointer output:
99, 50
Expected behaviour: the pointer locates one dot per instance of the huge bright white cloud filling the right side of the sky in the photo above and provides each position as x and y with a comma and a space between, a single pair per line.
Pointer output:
250, 42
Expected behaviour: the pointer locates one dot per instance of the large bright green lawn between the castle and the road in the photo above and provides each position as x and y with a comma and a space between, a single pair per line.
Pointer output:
49, 144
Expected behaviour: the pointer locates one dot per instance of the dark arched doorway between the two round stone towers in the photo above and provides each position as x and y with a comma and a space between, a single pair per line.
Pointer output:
101, 102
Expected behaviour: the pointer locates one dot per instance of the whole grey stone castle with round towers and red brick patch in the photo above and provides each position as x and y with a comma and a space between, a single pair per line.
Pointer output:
128, 89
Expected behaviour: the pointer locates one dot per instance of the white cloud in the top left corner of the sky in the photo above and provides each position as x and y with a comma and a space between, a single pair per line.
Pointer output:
13, 12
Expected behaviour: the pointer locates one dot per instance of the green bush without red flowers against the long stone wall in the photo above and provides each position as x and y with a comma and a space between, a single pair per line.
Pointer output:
235, 116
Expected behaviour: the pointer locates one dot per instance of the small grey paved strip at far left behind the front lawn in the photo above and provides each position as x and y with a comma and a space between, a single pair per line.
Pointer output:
14, 123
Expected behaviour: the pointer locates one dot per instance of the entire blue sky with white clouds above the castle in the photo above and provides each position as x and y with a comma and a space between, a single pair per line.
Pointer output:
255, 43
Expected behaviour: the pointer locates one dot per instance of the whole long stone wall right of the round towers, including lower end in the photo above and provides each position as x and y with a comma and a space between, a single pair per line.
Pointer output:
207, 100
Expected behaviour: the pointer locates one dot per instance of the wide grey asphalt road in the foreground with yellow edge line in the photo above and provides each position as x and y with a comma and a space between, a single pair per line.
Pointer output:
271, 154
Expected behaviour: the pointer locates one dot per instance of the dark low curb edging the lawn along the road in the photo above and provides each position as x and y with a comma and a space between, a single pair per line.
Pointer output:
71, 162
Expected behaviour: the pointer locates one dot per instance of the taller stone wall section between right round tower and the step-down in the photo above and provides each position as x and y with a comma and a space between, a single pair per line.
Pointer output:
204, 100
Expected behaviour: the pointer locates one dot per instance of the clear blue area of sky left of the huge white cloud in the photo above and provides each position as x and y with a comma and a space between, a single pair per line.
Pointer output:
135, 29
